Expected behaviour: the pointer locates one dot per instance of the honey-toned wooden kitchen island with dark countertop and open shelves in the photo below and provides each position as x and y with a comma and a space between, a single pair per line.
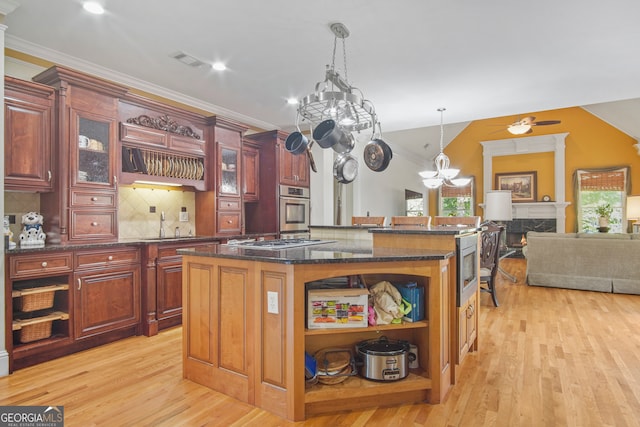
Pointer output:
245, 335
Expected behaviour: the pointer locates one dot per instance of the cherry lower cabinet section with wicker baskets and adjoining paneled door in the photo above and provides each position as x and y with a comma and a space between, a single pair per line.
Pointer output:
67, 301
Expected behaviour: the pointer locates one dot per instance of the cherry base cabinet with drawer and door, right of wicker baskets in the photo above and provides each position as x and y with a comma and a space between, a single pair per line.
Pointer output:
106, 291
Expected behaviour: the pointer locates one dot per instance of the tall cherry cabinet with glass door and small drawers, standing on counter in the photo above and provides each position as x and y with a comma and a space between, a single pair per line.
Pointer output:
87, 112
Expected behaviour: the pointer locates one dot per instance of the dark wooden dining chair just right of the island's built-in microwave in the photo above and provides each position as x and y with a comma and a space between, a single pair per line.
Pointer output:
490, 257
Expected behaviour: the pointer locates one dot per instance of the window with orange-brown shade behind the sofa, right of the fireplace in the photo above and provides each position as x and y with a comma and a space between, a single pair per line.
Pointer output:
596, 187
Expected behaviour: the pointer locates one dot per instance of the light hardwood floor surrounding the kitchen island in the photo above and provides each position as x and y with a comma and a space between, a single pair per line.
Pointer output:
548, 357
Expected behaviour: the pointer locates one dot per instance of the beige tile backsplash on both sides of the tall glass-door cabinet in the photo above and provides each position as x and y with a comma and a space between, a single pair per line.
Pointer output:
134, 216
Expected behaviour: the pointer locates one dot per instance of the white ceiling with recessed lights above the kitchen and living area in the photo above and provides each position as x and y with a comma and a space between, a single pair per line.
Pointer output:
479, 59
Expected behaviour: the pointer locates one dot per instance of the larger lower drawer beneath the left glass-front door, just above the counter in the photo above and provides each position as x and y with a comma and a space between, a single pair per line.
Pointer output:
93, 225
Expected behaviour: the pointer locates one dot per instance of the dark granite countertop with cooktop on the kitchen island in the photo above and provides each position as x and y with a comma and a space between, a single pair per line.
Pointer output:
334, 251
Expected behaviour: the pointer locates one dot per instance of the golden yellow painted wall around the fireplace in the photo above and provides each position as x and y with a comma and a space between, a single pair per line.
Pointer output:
591, 143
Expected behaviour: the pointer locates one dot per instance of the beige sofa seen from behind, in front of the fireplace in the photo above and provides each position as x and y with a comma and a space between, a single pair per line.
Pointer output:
603, 262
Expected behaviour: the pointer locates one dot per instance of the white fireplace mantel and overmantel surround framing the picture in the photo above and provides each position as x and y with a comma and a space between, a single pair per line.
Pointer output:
526, 145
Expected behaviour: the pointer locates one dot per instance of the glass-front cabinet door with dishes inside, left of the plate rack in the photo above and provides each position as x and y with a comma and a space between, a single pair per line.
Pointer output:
94, 160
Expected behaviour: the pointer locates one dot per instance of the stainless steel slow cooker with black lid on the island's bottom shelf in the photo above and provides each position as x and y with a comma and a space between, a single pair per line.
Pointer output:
383, 359
